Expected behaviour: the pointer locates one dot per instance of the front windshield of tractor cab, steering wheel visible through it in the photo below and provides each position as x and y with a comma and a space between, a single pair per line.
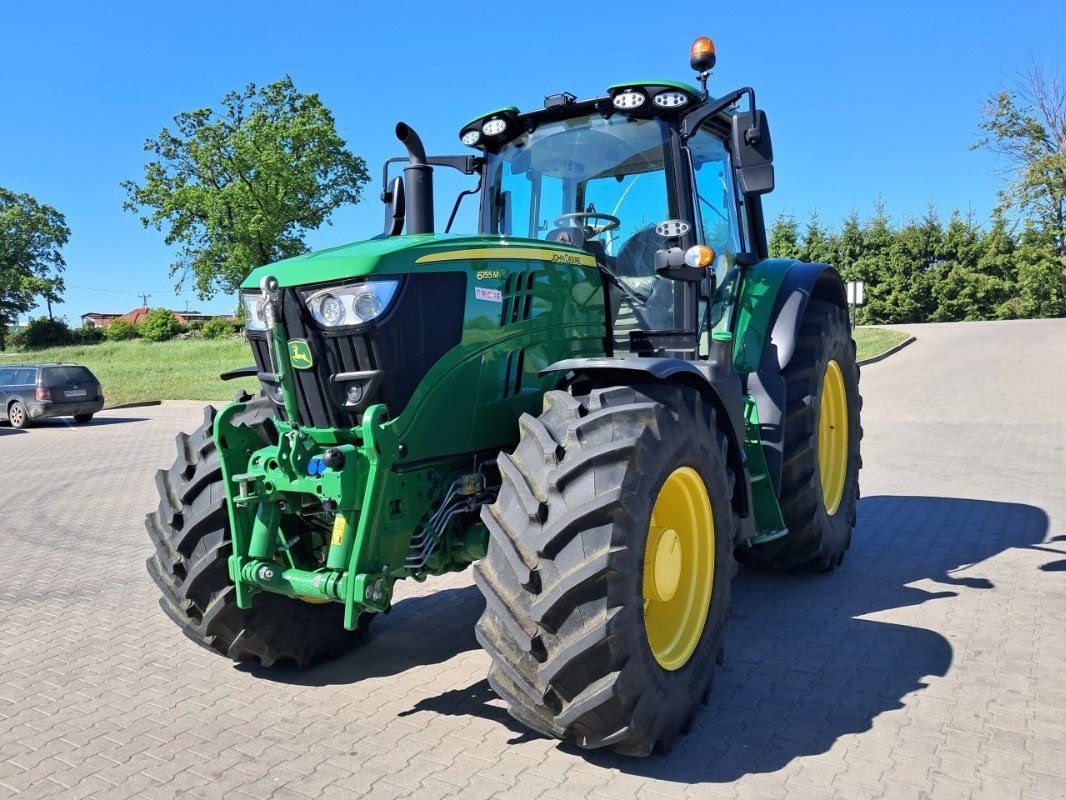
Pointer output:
601, 183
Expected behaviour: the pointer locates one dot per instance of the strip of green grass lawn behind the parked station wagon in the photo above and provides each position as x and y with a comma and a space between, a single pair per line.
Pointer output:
138, 371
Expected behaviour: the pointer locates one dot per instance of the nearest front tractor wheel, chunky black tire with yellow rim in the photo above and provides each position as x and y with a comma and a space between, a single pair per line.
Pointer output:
566, 583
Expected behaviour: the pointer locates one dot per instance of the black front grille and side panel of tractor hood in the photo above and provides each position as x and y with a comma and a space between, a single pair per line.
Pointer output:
425, 324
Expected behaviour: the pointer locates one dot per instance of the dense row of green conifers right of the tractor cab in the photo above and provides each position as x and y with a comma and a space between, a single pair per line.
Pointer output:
928, 271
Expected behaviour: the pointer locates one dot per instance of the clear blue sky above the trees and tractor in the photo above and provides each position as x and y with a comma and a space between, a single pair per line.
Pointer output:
866, 101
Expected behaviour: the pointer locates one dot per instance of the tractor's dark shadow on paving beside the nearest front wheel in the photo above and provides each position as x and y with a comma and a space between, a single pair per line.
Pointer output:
802, 670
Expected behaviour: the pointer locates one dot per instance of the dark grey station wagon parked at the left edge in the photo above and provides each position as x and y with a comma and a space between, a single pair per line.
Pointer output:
31, 392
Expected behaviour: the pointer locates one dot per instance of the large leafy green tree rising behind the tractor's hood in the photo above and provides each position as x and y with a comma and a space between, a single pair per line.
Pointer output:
239, 188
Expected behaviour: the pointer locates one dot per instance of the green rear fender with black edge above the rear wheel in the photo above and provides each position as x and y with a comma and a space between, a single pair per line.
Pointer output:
774, 299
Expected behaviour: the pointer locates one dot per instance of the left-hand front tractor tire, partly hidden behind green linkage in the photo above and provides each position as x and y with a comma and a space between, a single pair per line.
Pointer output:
191, 534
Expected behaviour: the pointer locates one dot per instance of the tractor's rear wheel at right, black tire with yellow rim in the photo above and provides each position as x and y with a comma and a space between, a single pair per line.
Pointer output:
818, 506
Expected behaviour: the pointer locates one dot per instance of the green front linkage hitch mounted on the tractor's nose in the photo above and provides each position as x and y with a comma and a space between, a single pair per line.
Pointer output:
321, 516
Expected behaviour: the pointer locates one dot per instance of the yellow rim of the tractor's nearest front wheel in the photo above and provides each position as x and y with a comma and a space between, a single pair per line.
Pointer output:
679, 569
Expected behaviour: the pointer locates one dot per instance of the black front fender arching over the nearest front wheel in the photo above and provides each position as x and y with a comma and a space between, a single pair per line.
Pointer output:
720, 388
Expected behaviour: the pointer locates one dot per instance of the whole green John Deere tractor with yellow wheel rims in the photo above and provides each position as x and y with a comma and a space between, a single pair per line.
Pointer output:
604, 402
